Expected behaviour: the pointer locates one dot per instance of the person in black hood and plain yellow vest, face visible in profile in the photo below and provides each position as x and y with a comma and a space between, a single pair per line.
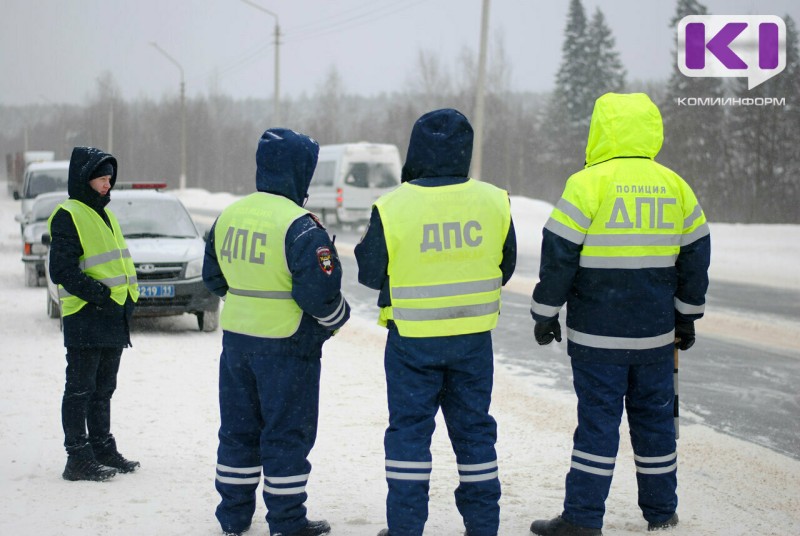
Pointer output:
91, 264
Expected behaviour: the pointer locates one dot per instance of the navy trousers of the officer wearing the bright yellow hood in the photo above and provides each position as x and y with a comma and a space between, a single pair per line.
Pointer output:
647, 391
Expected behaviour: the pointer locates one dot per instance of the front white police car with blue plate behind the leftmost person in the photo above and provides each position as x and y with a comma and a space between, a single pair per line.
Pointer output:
167, 251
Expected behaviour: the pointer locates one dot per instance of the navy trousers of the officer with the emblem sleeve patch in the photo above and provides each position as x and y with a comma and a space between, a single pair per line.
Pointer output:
269, 405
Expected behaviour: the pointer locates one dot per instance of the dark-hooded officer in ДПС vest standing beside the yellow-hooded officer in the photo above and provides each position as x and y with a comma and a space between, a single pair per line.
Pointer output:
439, 248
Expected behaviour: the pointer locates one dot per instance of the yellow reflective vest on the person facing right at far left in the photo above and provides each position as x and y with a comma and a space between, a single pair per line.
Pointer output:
105, 256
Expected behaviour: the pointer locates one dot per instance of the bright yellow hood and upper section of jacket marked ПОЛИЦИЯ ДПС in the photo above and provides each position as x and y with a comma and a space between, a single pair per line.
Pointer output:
629, 212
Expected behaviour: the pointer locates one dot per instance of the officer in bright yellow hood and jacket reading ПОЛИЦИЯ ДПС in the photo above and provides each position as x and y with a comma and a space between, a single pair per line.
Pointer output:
627, 248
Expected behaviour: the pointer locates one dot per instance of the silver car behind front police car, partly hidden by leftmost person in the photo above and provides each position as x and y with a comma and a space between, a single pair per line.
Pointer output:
33, 226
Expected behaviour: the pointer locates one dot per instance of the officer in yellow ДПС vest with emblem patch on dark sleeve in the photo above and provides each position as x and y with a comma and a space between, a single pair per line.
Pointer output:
279, 273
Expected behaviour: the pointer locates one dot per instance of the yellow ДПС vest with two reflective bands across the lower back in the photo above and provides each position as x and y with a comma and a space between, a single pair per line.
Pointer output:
445, 247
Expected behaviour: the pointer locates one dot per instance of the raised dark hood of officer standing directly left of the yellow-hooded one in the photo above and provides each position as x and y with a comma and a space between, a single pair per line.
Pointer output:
440, 146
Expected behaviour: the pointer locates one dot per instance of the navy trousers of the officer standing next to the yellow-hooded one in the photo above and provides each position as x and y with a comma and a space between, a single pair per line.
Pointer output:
455, 374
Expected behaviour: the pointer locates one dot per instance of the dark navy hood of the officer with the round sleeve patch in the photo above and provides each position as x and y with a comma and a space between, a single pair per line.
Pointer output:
285, 162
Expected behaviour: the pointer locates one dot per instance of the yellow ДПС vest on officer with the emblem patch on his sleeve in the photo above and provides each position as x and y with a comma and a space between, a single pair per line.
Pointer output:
249, 239
